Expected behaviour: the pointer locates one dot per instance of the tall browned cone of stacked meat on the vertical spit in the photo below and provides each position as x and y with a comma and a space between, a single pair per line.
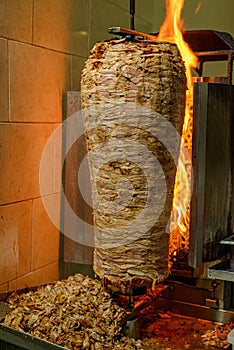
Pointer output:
133, 92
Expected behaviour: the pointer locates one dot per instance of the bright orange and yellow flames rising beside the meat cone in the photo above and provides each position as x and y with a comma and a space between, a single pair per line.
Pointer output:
171, 31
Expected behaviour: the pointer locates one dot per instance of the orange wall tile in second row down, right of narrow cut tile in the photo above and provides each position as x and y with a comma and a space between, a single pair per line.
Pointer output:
38, 78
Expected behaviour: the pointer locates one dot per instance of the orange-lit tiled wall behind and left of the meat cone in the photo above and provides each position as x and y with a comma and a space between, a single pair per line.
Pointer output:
43, 46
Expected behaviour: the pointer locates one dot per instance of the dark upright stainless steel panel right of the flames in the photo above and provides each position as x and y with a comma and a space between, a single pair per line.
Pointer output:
211, 214
